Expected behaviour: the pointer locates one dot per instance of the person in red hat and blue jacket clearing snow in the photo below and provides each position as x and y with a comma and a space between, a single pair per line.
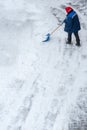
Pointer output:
72, 25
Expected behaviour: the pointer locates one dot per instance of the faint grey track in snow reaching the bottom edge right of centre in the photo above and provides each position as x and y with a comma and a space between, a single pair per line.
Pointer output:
54, 111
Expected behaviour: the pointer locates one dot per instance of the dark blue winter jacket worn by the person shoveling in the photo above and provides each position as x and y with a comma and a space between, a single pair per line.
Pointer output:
72, 23
